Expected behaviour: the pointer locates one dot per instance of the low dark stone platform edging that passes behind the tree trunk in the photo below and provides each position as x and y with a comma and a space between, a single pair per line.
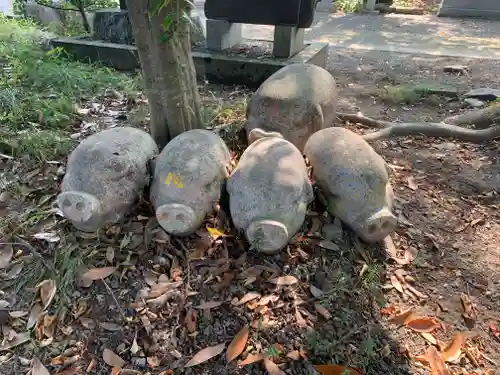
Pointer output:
217, 67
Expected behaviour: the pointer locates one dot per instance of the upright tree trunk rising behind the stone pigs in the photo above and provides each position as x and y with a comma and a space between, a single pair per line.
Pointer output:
167, 68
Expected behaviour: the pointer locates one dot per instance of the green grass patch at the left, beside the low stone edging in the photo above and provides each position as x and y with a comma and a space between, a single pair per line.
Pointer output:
40, 89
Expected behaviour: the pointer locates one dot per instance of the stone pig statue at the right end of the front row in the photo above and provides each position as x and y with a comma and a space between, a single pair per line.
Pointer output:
356, 181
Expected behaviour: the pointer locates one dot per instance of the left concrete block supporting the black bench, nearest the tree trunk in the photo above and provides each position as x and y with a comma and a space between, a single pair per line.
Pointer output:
222, 35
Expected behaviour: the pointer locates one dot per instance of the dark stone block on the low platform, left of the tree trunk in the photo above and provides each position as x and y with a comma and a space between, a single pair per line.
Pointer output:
112, 26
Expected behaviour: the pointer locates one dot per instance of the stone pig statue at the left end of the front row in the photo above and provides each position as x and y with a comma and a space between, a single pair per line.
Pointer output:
104, 176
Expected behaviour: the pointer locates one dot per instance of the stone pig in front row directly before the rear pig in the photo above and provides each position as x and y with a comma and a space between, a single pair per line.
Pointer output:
269, 192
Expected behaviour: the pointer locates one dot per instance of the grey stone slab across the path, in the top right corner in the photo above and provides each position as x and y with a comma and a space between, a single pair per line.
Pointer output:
469, 8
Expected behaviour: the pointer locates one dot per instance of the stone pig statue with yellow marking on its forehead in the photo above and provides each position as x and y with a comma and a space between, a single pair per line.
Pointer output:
189, 175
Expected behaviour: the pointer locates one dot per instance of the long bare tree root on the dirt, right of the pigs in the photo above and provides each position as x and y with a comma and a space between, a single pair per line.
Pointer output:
440, 130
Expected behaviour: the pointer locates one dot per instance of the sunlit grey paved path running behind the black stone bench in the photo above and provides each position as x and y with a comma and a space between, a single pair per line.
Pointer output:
397, 33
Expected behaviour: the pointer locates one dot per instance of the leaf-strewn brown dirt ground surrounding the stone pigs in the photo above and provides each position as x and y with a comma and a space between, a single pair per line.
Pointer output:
203, 290
